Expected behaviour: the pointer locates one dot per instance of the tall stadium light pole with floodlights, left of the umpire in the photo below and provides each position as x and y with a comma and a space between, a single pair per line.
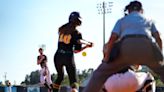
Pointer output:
104, 8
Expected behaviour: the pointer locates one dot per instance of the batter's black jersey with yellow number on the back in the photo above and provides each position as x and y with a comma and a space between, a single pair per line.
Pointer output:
69, 41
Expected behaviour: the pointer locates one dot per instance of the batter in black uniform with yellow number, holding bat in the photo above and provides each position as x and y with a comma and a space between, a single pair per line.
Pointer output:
69, 43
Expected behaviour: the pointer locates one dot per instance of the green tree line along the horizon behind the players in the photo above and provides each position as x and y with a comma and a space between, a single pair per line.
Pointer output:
34, 77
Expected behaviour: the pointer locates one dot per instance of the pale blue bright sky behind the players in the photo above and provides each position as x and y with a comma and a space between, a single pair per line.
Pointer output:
26, 24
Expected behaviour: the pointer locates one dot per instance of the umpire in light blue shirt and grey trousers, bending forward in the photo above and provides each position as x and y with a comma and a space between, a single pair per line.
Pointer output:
135, 34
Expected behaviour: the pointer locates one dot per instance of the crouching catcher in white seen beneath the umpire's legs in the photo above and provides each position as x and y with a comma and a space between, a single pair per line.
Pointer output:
130, 79
